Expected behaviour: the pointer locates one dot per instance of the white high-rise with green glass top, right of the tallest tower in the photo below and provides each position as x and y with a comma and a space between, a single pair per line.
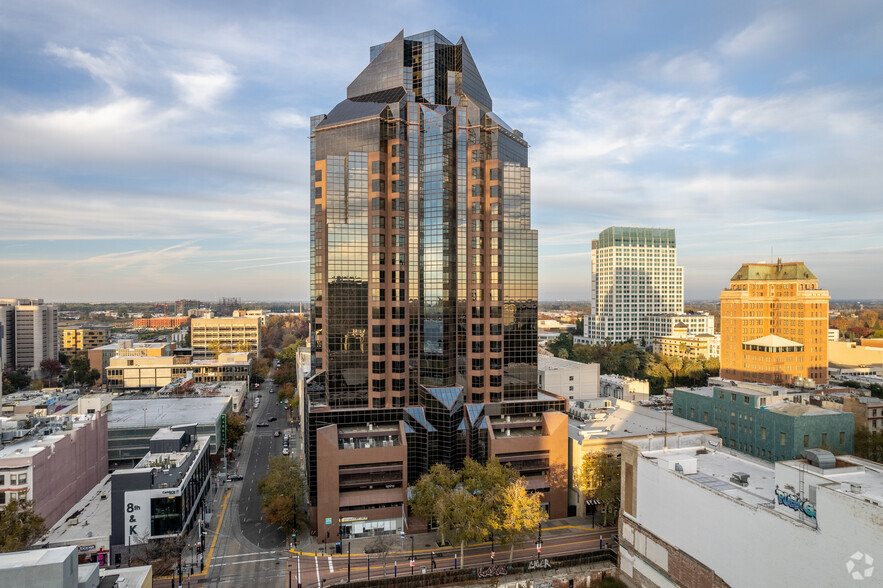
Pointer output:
634, 276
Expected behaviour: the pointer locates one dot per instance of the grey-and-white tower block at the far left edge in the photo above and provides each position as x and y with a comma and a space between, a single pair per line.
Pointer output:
30, 330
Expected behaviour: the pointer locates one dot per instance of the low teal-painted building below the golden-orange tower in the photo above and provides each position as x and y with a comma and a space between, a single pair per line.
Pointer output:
766, 424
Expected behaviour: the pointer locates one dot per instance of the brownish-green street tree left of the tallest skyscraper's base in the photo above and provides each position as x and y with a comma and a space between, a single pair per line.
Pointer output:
283, 494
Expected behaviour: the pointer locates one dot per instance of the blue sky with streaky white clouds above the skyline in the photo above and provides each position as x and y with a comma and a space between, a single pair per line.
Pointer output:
160, 150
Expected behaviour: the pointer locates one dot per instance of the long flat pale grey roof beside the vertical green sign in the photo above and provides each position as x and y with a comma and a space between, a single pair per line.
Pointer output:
164, 412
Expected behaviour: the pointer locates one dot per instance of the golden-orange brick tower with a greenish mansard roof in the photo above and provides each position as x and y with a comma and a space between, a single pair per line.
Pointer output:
774, 325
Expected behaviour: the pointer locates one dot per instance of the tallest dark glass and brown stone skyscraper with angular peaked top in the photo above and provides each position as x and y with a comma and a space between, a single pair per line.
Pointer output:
424, 279
